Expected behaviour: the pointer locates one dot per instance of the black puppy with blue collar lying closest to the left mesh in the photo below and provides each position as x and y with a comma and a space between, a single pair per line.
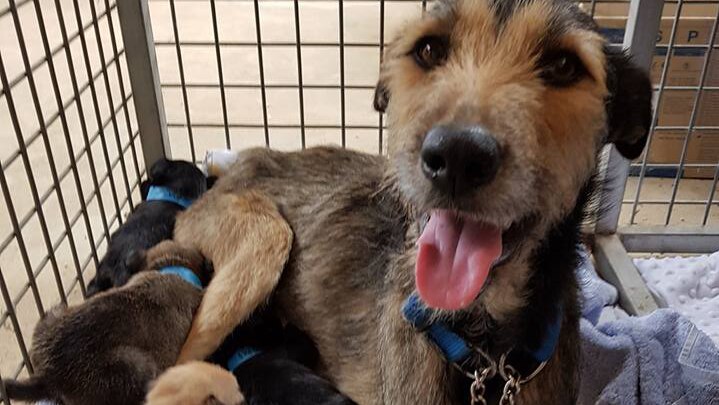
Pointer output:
171, 187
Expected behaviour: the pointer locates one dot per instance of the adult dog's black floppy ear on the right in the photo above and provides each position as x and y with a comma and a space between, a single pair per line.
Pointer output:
629, 108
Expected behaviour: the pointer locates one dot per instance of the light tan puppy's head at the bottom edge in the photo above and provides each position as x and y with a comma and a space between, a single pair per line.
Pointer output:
195, 383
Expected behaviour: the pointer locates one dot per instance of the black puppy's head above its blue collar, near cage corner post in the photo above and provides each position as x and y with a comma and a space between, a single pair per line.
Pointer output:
183, 178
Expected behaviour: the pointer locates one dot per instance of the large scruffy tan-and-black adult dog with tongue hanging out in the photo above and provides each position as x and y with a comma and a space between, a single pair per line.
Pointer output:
460, 247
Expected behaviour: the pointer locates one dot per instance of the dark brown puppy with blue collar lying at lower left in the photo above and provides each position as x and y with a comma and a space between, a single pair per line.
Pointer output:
107, 349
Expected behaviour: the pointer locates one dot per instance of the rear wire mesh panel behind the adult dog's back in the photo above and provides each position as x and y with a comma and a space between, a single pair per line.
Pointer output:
289, 76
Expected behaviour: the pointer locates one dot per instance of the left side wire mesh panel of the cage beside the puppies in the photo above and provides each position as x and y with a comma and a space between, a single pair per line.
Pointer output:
70, 158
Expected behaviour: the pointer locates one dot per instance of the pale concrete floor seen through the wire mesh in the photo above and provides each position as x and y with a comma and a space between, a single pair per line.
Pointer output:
319, 23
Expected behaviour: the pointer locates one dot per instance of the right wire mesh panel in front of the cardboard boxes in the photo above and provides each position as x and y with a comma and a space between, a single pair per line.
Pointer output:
685, 117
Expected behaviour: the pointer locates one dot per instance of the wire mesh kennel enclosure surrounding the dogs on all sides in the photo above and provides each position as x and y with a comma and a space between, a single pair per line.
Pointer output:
95, 90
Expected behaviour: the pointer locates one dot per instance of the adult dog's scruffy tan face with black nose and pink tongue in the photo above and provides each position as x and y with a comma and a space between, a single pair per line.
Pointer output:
497, 110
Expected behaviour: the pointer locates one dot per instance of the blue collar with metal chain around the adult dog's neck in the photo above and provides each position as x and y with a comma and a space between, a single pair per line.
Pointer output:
453, 347
